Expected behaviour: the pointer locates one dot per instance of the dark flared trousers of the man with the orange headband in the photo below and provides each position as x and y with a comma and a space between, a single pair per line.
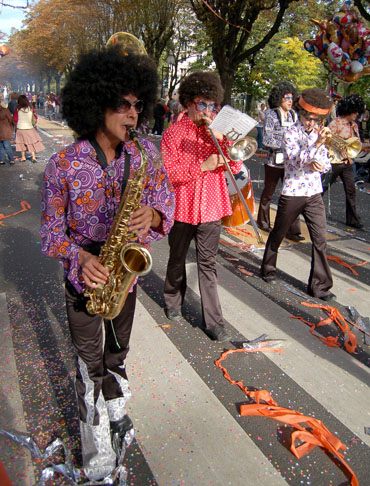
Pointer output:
313, 210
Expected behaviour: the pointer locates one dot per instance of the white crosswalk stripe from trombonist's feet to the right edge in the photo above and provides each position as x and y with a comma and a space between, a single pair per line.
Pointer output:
330, 375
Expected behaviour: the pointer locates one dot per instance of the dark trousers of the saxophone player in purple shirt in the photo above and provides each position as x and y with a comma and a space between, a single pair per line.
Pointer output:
99, 358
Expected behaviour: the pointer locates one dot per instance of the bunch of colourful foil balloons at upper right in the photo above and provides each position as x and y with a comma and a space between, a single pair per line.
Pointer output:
343, 44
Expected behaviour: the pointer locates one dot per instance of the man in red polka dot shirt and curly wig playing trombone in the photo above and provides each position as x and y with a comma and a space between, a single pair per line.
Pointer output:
196, 170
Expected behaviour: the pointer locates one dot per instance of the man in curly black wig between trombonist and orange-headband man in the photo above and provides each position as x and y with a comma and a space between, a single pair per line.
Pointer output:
278, 118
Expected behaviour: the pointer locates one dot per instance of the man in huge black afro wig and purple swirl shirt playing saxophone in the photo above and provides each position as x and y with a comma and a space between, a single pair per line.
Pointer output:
107, 94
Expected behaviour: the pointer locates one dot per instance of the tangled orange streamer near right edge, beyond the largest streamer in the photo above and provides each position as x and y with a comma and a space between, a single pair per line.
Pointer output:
350, 340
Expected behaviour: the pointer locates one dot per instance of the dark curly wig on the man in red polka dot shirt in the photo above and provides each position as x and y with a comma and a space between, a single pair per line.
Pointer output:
201, 83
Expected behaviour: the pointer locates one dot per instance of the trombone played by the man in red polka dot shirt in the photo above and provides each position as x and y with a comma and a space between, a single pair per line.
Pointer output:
241, 149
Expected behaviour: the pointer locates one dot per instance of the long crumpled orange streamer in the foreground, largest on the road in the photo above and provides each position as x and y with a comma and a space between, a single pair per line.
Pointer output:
316, 434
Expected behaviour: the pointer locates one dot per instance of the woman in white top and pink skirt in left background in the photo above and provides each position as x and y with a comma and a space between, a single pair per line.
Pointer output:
27, 138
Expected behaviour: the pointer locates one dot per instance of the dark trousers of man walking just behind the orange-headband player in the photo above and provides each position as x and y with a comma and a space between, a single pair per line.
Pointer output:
272, 177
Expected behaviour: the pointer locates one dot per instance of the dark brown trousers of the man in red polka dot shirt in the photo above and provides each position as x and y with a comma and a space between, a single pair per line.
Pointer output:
206, 237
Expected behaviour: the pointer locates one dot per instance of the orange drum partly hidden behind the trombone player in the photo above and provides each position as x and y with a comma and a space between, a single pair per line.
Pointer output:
240, 215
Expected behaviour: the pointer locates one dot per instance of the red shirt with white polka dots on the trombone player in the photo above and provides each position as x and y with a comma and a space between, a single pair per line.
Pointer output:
201, 197
